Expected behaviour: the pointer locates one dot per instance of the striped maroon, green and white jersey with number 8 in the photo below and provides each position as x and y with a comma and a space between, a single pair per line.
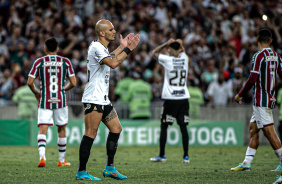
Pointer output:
52, 71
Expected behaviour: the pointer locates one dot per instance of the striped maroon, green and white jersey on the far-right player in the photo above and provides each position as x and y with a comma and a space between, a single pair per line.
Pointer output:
266, 63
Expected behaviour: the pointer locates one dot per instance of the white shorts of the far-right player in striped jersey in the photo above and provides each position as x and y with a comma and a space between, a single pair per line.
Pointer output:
262, 116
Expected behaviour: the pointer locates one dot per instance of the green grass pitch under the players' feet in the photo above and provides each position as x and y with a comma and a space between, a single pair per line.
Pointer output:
18, 164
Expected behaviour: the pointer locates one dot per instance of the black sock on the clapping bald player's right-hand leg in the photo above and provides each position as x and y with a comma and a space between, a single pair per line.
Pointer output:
111, 146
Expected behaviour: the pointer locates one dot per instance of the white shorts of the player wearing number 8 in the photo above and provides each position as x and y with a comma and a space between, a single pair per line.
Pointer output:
45, 116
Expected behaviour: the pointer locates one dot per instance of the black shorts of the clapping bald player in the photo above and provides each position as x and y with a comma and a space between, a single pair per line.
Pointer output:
105, 109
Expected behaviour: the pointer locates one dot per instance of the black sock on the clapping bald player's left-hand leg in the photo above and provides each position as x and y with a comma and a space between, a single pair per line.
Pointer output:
84, 152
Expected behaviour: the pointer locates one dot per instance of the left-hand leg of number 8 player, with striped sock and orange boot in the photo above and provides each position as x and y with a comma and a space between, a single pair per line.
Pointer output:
41, 139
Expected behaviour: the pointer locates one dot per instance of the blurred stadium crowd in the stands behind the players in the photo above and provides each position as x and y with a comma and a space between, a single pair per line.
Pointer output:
219, 37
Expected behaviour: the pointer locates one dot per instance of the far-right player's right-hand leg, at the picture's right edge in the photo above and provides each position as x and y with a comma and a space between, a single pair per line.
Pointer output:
275, 143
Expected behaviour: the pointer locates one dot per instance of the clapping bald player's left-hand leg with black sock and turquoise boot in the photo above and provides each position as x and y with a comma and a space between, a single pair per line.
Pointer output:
92, 121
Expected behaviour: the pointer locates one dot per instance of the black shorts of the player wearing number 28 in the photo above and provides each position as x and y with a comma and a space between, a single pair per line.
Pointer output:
175, 109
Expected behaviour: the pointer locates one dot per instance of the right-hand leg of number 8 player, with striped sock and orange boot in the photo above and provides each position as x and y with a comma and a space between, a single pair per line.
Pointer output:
62, 144
